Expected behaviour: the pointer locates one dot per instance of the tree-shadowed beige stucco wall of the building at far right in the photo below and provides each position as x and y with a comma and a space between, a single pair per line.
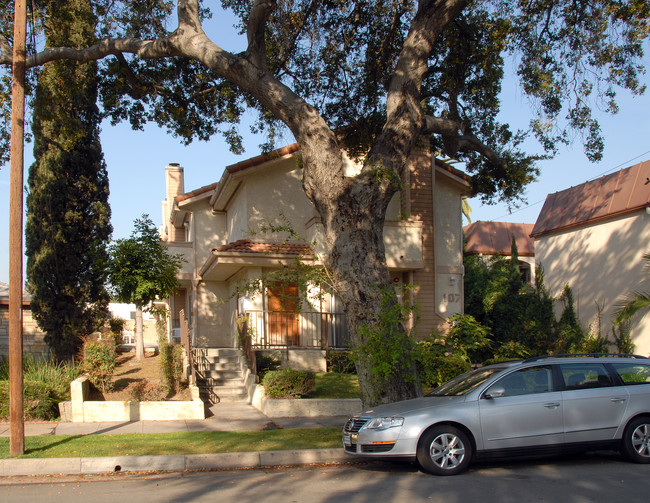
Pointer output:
600, 263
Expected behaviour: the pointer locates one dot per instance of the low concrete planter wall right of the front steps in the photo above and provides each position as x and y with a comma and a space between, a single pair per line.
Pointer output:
304, 407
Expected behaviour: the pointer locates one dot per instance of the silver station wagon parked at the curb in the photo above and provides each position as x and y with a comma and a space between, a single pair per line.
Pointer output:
540, 405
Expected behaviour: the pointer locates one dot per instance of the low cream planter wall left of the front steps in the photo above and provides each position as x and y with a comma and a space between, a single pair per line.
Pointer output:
81, 410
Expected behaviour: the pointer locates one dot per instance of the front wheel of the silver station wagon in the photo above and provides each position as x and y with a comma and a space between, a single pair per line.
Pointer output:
444, 450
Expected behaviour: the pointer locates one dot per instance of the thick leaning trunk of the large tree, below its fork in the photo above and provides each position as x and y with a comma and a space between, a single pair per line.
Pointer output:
375, 317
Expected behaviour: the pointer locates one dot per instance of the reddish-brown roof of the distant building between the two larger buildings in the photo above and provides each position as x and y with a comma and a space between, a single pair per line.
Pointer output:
495, 238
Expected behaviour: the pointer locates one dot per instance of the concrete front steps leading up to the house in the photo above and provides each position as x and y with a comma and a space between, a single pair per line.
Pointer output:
222, 375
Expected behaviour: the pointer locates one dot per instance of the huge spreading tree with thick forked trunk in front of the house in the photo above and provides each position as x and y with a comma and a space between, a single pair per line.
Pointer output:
371, 77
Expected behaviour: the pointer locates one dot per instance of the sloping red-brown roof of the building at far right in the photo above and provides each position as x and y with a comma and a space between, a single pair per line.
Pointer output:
626, 191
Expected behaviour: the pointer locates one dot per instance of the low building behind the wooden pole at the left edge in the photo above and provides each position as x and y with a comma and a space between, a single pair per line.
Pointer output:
33, 342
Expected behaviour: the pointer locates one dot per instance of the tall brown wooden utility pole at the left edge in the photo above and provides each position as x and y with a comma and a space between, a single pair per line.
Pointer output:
16, 383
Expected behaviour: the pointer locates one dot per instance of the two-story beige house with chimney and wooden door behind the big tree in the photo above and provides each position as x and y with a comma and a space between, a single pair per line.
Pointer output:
217, 229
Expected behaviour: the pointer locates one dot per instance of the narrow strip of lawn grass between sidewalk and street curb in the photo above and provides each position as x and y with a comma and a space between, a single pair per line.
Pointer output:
154, 444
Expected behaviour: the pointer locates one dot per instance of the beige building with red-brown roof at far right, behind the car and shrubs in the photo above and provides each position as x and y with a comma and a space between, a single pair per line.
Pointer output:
593, 238
